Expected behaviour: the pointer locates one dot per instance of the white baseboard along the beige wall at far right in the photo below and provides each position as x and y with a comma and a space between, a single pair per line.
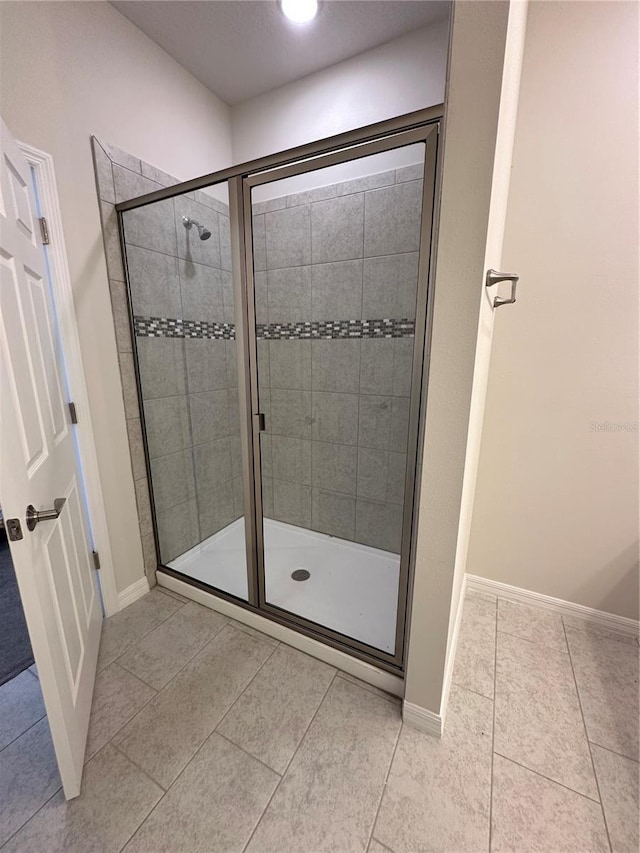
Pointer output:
597, 618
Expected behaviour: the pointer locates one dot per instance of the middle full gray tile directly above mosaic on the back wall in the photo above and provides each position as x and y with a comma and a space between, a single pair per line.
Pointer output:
336, 291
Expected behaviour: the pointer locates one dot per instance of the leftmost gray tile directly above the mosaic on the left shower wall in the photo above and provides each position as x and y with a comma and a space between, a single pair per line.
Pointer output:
154, 282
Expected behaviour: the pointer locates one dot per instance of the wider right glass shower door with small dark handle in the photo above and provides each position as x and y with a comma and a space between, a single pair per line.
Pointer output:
336, 266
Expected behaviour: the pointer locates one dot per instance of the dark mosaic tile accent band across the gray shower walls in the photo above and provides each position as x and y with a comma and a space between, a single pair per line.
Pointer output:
164, 327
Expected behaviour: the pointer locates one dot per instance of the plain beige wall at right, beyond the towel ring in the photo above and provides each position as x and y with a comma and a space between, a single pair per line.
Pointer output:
556, 507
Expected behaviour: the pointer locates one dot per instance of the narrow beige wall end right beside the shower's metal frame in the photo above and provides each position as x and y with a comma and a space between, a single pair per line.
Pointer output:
474, 86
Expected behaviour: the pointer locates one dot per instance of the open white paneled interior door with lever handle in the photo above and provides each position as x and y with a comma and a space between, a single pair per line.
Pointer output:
53, 562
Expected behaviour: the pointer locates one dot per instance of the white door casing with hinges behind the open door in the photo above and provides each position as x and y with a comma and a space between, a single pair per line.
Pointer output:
62, 293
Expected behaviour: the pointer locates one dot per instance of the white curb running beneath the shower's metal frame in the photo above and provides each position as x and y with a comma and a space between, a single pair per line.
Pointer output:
334, 657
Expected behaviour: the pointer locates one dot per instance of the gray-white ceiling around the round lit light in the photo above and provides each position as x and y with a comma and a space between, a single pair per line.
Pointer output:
243, 48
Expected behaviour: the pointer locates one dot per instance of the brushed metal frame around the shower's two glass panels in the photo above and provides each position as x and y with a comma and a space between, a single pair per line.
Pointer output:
424, 122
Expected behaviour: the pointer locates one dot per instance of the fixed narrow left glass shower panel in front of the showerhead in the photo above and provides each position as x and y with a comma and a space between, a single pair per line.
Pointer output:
179, 270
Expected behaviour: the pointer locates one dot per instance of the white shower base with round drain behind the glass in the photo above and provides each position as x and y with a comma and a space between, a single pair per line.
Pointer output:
353, 589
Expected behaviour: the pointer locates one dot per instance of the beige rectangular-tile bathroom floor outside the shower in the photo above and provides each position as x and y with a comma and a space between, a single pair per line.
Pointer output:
208, 736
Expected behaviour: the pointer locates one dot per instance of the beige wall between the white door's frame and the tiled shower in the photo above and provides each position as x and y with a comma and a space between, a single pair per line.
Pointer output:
68, 70
